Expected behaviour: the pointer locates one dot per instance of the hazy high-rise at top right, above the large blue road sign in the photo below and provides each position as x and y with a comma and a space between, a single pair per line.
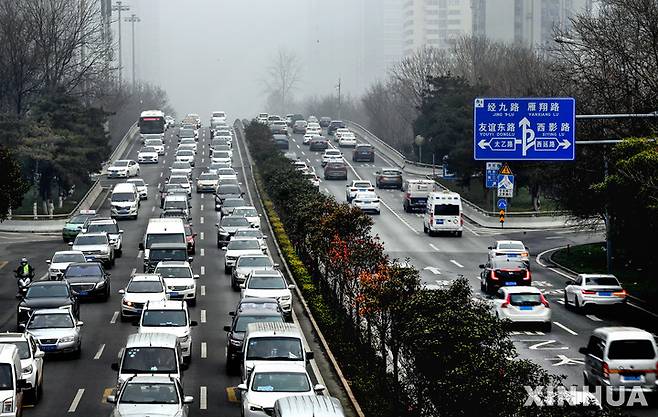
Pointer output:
528, 22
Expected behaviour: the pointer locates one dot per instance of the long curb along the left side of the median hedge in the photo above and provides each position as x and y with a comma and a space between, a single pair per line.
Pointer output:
316, 328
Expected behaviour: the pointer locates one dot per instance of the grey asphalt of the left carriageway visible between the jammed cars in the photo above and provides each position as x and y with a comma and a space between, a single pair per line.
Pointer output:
80, 386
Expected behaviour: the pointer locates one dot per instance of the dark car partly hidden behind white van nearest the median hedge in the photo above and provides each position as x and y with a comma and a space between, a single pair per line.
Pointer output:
237, 329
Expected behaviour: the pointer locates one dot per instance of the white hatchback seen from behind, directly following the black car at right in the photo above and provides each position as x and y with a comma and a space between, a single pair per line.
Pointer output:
524, 304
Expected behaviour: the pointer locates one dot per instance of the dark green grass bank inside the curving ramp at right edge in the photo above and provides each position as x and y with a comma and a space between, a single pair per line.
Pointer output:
591, 258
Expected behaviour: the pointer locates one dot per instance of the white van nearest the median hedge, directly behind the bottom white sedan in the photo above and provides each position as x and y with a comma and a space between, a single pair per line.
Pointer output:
265, 342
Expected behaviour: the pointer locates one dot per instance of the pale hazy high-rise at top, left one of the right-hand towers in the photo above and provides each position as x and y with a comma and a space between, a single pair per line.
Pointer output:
435, 23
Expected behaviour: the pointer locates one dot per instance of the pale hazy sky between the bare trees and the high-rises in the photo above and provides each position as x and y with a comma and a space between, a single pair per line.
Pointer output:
214, 54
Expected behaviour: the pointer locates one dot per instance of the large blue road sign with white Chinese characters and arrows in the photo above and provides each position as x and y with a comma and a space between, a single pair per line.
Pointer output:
530, 129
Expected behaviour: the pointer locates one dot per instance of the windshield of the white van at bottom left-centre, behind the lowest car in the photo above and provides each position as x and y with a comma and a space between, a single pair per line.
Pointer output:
151, 360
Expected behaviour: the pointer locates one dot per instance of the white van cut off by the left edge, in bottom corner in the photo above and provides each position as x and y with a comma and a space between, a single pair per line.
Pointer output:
11, 383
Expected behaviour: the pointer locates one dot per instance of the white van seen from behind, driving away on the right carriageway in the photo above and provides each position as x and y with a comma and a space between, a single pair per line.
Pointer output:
443, 213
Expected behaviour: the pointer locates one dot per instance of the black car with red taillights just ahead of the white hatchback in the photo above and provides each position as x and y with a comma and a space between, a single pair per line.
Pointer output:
504, 272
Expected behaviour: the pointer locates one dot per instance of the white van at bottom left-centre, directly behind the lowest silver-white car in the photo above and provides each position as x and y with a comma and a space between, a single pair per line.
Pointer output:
149, 353
